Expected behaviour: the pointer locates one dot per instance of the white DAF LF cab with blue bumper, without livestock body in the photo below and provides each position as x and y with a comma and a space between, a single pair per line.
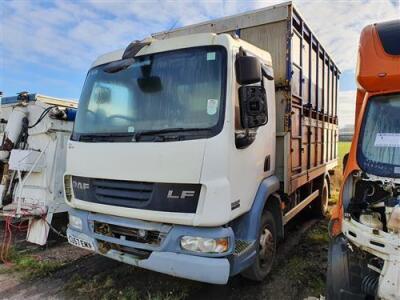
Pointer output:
159, 155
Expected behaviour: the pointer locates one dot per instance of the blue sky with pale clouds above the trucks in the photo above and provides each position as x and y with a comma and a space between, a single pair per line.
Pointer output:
47, 46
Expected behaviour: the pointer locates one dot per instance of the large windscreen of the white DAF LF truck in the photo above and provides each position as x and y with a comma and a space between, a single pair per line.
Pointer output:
180, 90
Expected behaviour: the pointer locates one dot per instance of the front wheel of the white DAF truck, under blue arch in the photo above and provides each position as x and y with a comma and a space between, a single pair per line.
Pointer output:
266, 249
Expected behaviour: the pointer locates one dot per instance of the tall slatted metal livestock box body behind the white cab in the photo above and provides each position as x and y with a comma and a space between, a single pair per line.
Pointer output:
306, 80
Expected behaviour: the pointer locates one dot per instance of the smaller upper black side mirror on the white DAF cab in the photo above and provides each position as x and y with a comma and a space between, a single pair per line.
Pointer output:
248, 70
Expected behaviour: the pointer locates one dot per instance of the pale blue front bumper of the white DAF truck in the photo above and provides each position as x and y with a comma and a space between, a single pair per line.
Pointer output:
166, 256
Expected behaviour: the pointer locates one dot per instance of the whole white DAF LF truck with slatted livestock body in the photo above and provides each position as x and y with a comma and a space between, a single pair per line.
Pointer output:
192, 149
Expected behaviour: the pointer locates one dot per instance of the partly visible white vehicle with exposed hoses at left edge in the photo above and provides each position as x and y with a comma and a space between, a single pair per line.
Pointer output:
34, 130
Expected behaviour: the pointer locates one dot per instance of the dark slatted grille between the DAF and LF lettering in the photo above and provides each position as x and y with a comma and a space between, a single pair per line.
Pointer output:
122, 193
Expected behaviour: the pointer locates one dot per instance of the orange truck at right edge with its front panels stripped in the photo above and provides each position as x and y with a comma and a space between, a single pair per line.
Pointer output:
364, 252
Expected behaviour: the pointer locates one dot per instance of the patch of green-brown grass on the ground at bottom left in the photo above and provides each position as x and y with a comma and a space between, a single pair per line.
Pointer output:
29, 266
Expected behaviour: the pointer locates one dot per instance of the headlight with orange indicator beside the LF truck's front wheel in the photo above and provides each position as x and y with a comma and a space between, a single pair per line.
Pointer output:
204, 245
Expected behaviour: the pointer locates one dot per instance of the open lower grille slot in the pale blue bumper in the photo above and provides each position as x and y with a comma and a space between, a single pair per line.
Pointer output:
152, 237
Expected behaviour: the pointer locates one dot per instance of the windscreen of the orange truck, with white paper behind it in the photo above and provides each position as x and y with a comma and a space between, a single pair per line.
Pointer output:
379, 144
